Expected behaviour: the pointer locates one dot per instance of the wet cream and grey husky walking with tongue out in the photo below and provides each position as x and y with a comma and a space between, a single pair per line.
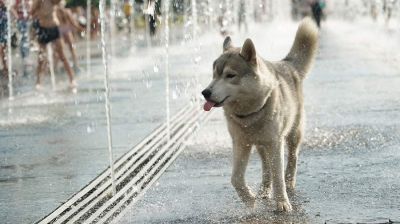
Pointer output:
263, 106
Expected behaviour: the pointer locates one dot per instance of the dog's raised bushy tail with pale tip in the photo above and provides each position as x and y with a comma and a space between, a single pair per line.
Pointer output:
305, 46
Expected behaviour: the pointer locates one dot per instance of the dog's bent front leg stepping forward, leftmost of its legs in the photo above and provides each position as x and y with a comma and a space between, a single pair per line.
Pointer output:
241, 153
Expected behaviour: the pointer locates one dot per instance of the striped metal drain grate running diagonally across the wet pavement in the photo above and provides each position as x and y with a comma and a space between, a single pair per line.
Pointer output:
135, 172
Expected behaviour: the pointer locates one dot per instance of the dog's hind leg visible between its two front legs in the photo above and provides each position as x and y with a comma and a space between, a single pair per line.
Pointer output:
265, 191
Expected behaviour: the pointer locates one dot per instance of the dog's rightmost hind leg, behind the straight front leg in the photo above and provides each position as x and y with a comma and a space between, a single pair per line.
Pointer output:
293, 141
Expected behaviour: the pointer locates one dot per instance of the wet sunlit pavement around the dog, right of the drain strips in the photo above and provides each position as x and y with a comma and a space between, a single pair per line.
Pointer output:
349, 162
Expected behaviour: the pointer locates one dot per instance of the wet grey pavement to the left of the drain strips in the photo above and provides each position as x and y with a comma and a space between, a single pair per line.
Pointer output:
54, 142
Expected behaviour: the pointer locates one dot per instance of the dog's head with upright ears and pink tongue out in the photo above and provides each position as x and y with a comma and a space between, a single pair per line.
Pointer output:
240, 82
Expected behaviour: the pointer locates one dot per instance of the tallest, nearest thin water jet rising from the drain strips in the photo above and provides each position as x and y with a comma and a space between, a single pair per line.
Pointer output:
107, 90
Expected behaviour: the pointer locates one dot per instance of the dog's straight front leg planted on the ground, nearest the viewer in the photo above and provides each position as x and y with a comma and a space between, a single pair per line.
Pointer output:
276, 156
